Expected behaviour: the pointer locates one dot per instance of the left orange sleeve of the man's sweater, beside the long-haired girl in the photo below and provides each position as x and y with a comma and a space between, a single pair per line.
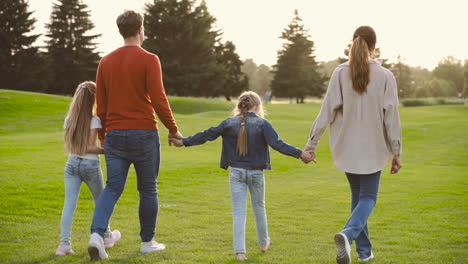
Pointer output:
101, 103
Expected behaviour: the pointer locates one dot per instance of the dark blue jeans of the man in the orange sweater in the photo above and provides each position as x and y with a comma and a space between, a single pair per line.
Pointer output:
122, 148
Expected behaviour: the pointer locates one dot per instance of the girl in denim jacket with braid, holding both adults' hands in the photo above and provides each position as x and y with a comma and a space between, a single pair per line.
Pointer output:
246, 137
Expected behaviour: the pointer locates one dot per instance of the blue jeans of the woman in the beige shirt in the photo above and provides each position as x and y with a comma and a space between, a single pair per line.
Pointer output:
364, 190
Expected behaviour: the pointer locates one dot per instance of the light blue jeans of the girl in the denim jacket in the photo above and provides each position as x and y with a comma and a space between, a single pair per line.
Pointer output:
240, 180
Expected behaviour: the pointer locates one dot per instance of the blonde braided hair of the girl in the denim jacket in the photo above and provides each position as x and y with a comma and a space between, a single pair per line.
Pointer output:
247, 101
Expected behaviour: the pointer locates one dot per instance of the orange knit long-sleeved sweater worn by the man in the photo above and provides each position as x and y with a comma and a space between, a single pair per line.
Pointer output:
130, 91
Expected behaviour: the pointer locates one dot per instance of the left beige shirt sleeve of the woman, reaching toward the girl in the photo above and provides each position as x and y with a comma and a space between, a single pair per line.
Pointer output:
333, 101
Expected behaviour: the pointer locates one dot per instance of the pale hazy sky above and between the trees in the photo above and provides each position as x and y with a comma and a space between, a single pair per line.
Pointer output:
421, 31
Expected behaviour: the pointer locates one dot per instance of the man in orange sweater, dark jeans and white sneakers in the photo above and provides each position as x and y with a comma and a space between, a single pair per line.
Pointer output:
129, 92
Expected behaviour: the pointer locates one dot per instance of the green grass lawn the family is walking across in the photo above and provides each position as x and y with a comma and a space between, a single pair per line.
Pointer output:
420, 215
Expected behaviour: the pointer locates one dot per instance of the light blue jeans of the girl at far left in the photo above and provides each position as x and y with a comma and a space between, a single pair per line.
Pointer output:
79, 170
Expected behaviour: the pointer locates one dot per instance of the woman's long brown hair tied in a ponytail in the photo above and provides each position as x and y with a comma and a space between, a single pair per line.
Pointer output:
363, 46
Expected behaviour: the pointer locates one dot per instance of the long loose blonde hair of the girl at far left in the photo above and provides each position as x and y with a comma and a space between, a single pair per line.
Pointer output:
78, 124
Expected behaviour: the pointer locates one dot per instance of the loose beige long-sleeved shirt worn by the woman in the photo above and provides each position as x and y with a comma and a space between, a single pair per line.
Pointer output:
365, 128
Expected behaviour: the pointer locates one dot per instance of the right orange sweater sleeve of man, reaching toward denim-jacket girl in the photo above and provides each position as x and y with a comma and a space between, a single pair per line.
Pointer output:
155, 88
